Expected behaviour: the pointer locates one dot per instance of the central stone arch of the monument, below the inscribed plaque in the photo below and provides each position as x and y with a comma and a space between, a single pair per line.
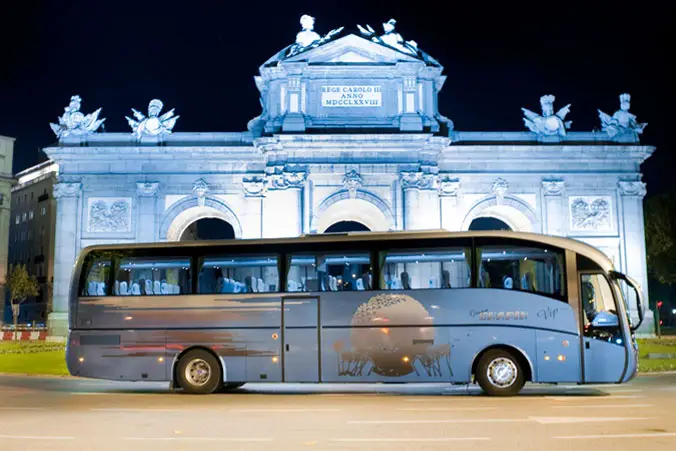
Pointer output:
365, 208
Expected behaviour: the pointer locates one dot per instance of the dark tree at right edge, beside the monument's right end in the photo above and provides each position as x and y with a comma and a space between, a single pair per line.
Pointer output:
660, 233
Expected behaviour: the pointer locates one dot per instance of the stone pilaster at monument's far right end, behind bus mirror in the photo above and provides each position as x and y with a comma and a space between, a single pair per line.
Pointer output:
633, 241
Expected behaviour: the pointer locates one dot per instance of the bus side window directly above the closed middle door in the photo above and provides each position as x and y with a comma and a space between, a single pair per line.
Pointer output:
349, 271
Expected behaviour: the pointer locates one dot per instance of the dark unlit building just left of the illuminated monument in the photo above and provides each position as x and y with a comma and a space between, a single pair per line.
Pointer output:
31, 235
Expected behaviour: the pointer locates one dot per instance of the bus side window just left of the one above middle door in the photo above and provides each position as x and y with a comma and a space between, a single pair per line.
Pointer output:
238, 274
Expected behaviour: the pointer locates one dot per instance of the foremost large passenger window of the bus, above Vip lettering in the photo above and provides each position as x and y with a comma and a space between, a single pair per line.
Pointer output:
524, 268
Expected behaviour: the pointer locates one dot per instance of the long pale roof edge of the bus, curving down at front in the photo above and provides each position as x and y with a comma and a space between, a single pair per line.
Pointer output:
561, 242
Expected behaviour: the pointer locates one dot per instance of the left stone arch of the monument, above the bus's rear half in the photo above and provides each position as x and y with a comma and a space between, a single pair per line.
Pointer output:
186, 211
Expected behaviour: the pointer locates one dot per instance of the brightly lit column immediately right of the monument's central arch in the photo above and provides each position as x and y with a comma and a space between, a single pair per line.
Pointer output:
421, 201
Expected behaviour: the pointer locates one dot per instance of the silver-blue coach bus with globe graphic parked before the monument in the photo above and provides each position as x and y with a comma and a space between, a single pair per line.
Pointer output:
496, 308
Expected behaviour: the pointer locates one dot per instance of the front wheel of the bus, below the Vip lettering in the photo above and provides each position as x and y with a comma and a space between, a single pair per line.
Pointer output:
499, 373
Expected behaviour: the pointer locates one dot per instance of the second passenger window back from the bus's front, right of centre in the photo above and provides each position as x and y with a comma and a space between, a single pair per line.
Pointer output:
425, 269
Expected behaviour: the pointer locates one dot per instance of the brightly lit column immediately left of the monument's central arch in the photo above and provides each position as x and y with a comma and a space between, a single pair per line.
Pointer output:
282, 214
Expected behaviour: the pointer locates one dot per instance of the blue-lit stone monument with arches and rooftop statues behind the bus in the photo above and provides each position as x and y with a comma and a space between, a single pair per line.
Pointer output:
349, 131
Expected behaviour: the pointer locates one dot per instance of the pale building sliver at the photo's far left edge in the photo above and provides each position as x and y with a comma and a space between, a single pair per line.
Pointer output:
6, 182
